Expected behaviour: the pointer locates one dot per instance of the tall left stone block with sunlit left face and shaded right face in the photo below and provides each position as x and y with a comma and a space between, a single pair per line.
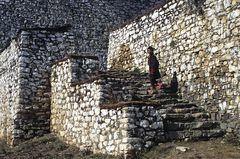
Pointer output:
25, 75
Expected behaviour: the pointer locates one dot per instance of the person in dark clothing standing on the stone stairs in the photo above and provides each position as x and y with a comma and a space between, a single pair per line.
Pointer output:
154, 73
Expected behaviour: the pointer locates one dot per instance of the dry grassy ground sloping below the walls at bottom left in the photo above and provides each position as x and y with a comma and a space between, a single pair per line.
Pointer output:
46, 147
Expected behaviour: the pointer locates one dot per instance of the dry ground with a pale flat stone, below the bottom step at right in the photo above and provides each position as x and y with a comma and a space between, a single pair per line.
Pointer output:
213, 149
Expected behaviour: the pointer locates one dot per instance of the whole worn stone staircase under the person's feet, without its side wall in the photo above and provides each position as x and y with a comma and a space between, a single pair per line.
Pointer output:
183, 120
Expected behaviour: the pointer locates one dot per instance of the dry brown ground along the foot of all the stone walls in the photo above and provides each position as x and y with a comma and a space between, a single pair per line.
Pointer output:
50, 147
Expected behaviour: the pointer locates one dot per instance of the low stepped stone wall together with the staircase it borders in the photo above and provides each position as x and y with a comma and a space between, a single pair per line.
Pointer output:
111, 112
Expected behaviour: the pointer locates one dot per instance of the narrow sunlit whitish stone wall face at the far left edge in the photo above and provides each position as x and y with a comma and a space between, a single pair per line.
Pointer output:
9, 90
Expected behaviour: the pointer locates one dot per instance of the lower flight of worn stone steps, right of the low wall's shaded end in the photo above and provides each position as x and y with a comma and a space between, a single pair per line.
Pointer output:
187, 121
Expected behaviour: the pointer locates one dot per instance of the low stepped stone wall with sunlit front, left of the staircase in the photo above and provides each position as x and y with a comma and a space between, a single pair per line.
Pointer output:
79, 119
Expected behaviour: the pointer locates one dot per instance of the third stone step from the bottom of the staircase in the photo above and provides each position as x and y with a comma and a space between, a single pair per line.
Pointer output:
186, 117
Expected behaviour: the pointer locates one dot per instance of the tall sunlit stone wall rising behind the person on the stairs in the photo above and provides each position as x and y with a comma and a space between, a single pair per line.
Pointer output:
193, 40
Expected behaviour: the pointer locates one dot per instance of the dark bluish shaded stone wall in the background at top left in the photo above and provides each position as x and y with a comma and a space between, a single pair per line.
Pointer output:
90, 20
